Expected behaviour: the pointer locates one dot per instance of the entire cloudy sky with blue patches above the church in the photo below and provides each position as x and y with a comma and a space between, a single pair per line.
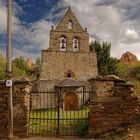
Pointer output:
115, 21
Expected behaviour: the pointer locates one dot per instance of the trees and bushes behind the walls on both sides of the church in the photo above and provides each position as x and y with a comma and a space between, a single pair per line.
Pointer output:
107, 65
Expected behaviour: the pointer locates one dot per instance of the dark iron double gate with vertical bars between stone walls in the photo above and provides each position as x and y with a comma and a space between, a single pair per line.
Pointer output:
53, 113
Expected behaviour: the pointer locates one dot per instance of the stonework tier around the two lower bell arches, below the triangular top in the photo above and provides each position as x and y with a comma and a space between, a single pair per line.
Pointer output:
83, 38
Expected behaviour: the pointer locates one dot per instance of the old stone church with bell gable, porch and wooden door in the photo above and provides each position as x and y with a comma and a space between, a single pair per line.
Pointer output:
67, 64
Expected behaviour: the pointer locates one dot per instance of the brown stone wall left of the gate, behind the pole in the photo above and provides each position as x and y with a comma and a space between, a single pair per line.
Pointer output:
21, 91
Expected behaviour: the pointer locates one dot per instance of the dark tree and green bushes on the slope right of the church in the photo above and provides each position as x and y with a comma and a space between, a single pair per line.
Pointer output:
108, 65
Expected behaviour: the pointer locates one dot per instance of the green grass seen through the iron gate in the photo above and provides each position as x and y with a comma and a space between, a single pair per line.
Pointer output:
45, 122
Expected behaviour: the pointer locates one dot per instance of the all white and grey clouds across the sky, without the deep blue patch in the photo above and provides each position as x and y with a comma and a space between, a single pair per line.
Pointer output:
110, 20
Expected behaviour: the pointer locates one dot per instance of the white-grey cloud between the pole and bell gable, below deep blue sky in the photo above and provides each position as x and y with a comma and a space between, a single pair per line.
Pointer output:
32, 39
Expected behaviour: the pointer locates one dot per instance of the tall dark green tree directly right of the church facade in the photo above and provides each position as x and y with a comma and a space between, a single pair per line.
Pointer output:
106, 64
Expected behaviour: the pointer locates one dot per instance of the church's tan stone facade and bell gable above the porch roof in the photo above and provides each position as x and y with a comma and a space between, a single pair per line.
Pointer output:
68, 55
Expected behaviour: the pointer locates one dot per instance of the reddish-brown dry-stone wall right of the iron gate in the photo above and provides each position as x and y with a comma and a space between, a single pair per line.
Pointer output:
113, 112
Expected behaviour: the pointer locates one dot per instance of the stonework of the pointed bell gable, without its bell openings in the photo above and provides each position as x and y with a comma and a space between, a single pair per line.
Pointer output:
76, 31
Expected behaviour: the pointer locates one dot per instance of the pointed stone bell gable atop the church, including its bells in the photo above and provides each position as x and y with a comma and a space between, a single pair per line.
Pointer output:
69, 36
